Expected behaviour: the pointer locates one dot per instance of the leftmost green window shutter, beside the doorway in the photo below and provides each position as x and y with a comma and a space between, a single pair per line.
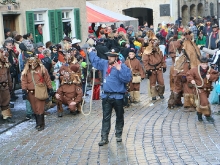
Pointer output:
30, 23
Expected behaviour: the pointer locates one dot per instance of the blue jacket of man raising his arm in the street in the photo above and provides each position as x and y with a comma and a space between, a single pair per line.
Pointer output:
116, 80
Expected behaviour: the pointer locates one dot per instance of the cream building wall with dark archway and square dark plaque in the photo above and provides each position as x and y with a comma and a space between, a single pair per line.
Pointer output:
151, 11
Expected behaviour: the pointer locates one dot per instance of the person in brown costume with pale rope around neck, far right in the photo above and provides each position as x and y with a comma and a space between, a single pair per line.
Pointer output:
201, 77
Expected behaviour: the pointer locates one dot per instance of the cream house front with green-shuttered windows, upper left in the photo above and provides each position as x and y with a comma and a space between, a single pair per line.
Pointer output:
58, 18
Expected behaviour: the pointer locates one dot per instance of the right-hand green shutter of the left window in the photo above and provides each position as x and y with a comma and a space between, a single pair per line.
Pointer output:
52, 26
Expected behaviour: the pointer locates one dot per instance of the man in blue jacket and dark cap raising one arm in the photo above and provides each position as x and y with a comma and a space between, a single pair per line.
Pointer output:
115, 76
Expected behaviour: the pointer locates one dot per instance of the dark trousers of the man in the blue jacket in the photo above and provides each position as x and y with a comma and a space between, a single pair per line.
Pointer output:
107, 105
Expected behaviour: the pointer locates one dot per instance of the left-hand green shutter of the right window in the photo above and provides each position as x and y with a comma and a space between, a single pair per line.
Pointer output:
59, 25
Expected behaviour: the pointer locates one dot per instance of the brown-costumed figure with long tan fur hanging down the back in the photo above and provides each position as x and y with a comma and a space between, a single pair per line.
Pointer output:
190, 59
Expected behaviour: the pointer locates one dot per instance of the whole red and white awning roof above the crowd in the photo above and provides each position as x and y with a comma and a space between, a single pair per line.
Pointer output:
101, 15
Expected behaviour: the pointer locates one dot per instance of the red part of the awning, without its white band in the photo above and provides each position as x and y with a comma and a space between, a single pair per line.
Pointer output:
95, 16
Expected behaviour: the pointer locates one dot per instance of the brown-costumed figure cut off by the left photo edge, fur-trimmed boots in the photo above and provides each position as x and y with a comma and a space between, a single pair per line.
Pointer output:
5, 85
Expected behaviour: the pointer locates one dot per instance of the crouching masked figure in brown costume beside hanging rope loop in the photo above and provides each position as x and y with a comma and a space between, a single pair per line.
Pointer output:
68, 93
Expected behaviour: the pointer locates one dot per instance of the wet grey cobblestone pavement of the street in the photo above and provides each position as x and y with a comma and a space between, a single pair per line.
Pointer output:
153, 134
